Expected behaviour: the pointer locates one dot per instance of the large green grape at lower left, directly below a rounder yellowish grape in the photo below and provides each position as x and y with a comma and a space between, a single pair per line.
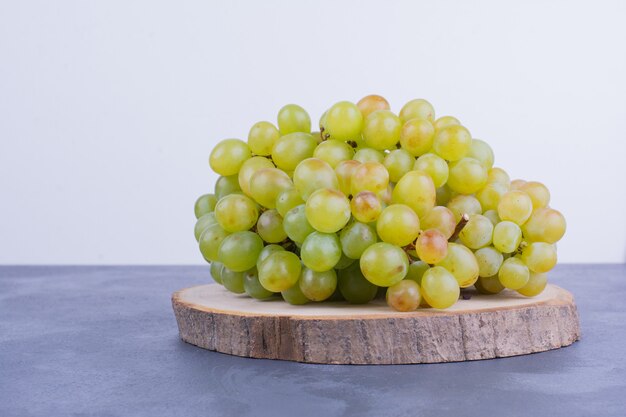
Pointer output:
240, 251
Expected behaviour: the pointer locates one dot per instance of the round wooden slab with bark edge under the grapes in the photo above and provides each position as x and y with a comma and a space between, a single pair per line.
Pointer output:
482, 327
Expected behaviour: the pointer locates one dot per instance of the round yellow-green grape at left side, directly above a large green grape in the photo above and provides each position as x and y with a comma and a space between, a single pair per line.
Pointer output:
236, 213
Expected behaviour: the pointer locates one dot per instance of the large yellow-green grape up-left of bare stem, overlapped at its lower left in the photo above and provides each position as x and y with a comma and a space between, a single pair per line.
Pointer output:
417, 190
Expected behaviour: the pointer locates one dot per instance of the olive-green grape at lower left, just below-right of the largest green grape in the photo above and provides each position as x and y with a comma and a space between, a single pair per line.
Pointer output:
279, 271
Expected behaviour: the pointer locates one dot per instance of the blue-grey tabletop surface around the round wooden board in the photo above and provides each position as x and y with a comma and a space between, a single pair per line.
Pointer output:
102, 341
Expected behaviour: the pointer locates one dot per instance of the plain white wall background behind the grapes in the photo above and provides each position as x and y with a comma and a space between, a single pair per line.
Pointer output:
108, 110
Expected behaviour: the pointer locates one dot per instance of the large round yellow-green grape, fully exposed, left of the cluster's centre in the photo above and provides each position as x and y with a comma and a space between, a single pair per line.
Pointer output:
327, 210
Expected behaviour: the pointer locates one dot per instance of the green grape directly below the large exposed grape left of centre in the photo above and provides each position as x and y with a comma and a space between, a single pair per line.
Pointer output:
320, 251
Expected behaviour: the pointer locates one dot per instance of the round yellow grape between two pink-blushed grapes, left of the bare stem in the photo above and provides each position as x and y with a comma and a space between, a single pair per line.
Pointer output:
398, 224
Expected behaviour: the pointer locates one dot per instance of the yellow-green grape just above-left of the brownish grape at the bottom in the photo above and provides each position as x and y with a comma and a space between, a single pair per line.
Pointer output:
384, 264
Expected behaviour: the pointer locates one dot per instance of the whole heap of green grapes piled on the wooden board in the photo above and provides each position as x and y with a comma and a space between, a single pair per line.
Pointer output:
375, 203
